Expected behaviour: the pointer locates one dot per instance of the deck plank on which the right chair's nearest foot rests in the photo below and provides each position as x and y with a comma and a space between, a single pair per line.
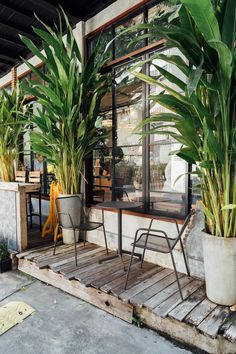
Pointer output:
165, 307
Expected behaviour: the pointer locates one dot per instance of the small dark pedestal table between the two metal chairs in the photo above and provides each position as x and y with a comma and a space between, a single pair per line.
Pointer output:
119, 206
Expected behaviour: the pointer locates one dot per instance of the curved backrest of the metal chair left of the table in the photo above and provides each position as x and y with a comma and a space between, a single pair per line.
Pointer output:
69, 210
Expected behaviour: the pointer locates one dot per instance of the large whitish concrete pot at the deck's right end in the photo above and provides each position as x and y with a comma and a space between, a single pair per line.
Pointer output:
220, 268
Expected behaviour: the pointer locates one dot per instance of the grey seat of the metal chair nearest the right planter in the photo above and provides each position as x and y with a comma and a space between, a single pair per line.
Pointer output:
154, 243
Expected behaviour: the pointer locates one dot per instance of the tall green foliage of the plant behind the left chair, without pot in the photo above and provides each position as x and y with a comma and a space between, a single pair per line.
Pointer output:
70, 93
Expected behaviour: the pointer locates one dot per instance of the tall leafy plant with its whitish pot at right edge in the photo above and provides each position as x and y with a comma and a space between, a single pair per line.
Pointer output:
202, 119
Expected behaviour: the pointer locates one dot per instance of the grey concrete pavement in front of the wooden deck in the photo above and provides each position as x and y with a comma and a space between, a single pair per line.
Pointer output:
63, 324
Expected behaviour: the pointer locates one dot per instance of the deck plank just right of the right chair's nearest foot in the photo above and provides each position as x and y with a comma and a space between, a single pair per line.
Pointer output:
183, 309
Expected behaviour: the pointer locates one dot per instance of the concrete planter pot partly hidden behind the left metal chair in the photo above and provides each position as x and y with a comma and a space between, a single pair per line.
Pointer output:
72, 207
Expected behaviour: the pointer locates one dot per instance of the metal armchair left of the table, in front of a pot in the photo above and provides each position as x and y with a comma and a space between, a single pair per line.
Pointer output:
65, 220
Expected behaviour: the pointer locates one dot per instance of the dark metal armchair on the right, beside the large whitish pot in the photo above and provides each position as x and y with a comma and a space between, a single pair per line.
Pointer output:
158, 241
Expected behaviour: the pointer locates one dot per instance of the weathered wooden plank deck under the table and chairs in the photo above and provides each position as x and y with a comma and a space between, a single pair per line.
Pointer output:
152, 295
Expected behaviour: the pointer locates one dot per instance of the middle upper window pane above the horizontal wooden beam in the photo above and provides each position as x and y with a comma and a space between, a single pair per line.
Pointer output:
123, 44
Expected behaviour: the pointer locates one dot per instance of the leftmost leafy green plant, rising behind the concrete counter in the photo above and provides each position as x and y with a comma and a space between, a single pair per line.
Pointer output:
13, 123
